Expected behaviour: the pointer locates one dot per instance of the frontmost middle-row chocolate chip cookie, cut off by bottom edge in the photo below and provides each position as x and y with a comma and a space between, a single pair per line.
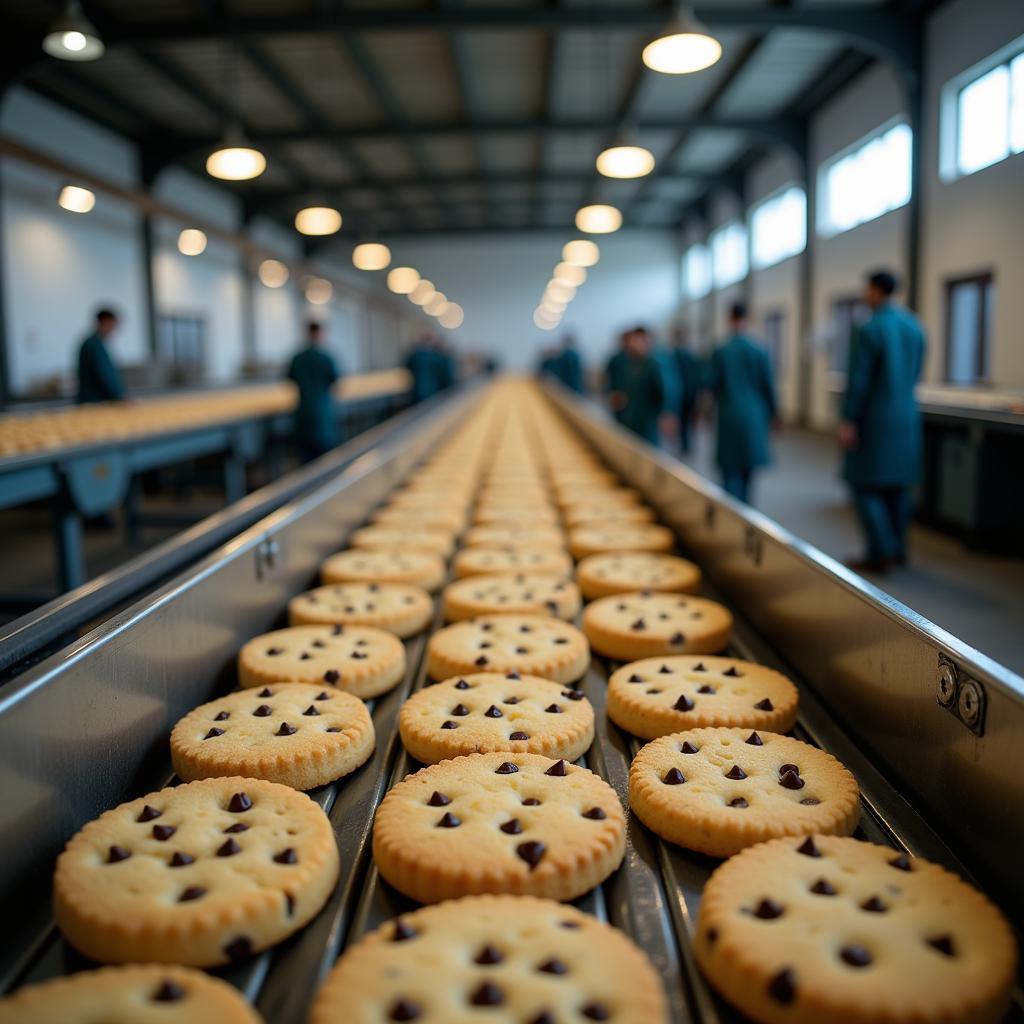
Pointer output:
526, 959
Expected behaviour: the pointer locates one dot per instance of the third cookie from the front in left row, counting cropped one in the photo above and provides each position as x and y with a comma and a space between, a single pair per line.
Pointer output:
294, 734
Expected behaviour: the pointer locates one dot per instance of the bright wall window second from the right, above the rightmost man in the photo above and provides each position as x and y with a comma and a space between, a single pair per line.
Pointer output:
867, 182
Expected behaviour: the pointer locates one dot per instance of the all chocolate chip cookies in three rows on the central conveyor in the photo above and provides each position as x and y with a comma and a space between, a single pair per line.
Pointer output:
518, 524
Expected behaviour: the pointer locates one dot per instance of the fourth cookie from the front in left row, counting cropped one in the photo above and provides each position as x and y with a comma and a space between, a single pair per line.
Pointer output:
357, 659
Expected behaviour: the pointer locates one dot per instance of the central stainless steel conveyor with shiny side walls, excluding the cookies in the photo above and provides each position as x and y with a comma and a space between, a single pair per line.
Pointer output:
928, 726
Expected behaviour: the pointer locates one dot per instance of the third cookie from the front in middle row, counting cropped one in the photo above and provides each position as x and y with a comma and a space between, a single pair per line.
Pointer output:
493, 711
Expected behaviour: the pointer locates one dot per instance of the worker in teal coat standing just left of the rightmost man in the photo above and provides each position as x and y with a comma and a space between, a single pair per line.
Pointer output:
740, 379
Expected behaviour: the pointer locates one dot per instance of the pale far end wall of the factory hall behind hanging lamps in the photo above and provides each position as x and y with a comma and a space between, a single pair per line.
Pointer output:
499, 281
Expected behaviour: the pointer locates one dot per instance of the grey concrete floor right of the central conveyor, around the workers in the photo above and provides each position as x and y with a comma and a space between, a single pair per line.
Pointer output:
977, 598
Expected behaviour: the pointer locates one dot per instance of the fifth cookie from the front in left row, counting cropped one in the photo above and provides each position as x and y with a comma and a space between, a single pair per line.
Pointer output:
401, 609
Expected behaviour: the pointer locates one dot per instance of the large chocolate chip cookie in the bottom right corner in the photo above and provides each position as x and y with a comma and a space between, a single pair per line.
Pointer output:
835, 931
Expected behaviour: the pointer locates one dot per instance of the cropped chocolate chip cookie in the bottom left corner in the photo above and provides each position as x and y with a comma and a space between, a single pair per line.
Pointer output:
147, 994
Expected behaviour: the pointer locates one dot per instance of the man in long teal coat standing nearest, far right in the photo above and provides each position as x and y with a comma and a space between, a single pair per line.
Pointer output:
881, 429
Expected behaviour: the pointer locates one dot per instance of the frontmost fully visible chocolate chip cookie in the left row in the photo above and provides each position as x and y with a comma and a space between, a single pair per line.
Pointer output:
201, 874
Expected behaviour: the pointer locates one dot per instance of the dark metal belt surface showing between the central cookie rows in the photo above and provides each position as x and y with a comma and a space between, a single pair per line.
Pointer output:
655, 897
